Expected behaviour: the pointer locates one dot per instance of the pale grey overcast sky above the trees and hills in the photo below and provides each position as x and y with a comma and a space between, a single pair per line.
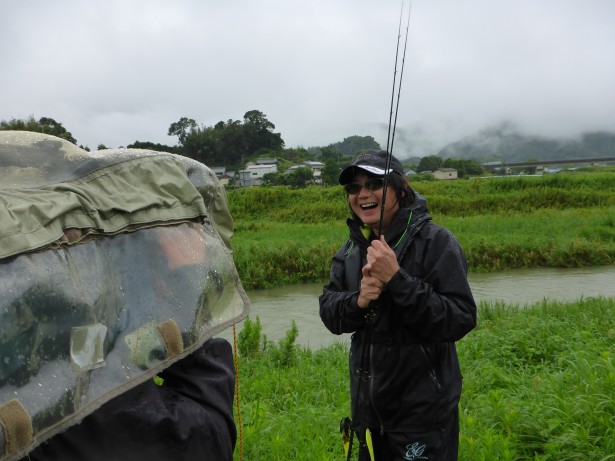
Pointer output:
117, 71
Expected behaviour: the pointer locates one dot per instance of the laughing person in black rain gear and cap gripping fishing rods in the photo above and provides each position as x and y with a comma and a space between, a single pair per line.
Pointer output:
405, 297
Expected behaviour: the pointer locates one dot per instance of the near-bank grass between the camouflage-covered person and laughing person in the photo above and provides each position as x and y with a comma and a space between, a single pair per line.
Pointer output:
290, 412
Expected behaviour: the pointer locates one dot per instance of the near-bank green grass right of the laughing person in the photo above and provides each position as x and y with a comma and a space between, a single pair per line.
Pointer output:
540, 382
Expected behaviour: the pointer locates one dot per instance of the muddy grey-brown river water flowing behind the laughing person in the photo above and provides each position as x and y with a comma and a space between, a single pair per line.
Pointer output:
277, 307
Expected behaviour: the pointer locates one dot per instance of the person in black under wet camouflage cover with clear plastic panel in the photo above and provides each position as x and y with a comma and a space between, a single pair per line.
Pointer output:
116, 275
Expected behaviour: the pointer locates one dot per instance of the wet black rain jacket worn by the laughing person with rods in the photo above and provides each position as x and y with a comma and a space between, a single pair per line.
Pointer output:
404, 350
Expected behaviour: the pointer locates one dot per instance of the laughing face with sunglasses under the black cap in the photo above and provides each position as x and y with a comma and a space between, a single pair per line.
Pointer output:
367, 204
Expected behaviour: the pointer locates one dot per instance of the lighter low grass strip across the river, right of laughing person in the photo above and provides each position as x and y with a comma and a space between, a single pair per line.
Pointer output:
572, 237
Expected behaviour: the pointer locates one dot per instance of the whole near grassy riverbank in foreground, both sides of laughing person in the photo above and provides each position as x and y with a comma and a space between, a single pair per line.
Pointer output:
538, 384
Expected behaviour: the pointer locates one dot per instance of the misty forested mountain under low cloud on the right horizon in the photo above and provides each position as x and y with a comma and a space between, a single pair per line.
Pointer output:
501, 144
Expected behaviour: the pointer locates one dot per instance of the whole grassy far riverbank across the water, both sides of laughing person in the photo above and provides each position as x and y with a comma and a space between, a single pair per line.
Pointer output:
286, 236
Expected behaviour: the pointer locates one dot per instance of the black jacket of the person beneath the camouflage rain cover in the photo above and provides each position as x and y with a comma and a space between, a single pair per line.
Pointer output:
188, 417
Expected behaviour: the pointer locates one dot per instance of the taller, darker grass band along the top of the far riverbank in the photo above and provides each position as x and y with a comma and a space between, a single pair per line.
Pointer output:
475, 196
